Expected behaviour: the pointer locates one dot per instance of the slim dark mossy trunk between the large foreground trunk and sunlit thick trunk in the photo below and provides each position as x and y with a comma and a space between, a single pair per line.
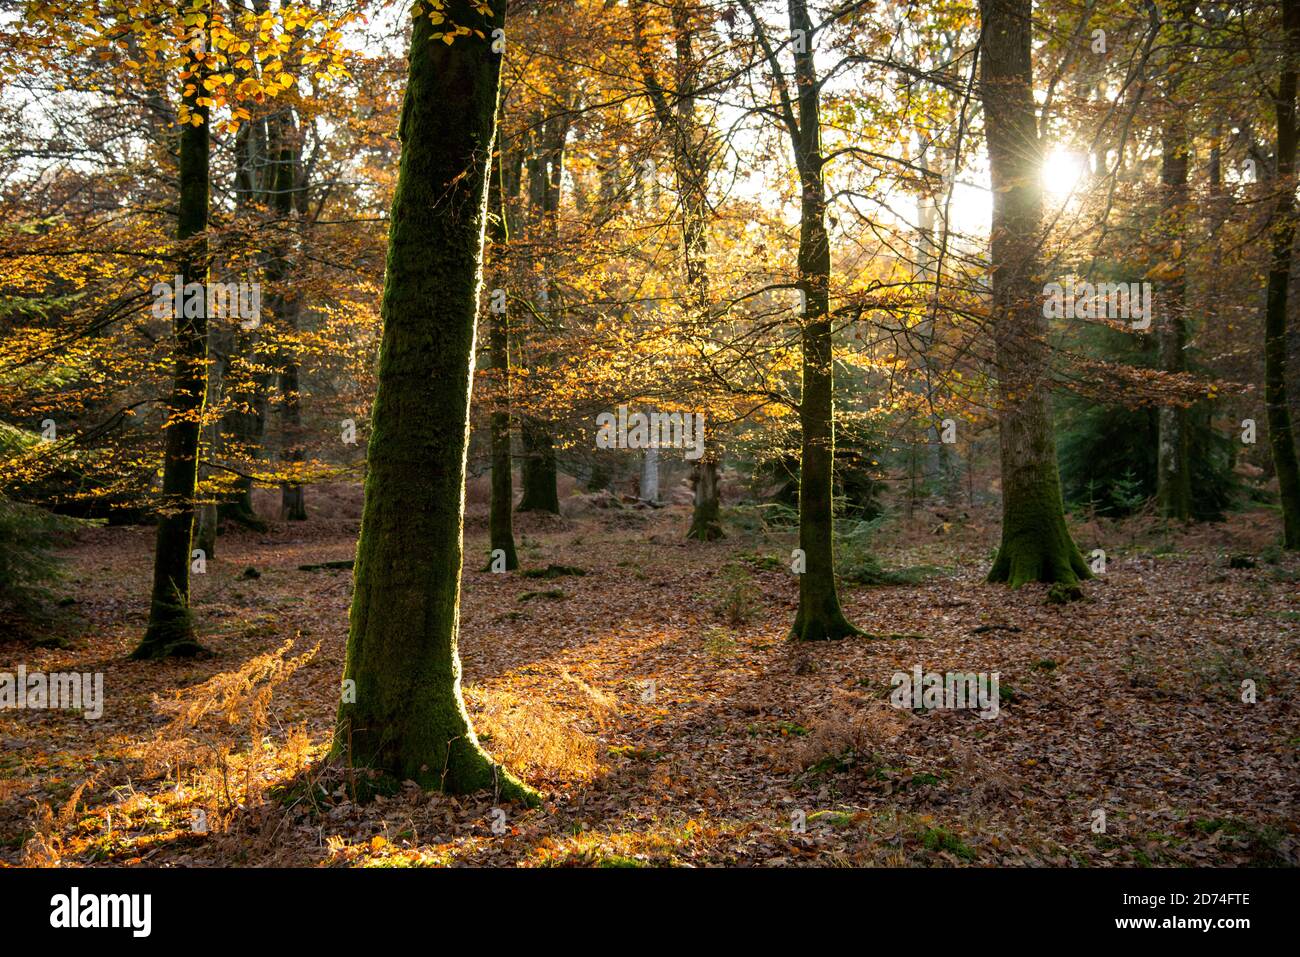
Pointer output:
820, 616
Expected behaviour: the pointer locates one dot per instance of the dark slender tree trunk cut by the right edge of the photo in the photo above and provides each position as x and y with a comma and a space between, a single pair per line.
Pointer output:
1284, 228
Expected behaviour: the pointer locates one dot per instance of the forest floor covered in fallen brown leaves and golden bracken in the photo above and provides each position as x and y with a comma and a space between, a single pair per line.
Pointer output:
1124, 709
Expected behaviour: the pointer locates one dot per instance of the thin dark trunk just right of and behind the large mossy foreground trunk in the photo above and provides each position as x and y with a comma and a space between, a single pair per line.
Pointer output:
501, 531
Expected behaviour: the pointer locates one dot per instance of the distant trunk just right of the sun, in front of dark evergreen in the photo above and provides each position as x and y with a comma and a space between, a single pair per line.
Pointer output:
1173, 470
